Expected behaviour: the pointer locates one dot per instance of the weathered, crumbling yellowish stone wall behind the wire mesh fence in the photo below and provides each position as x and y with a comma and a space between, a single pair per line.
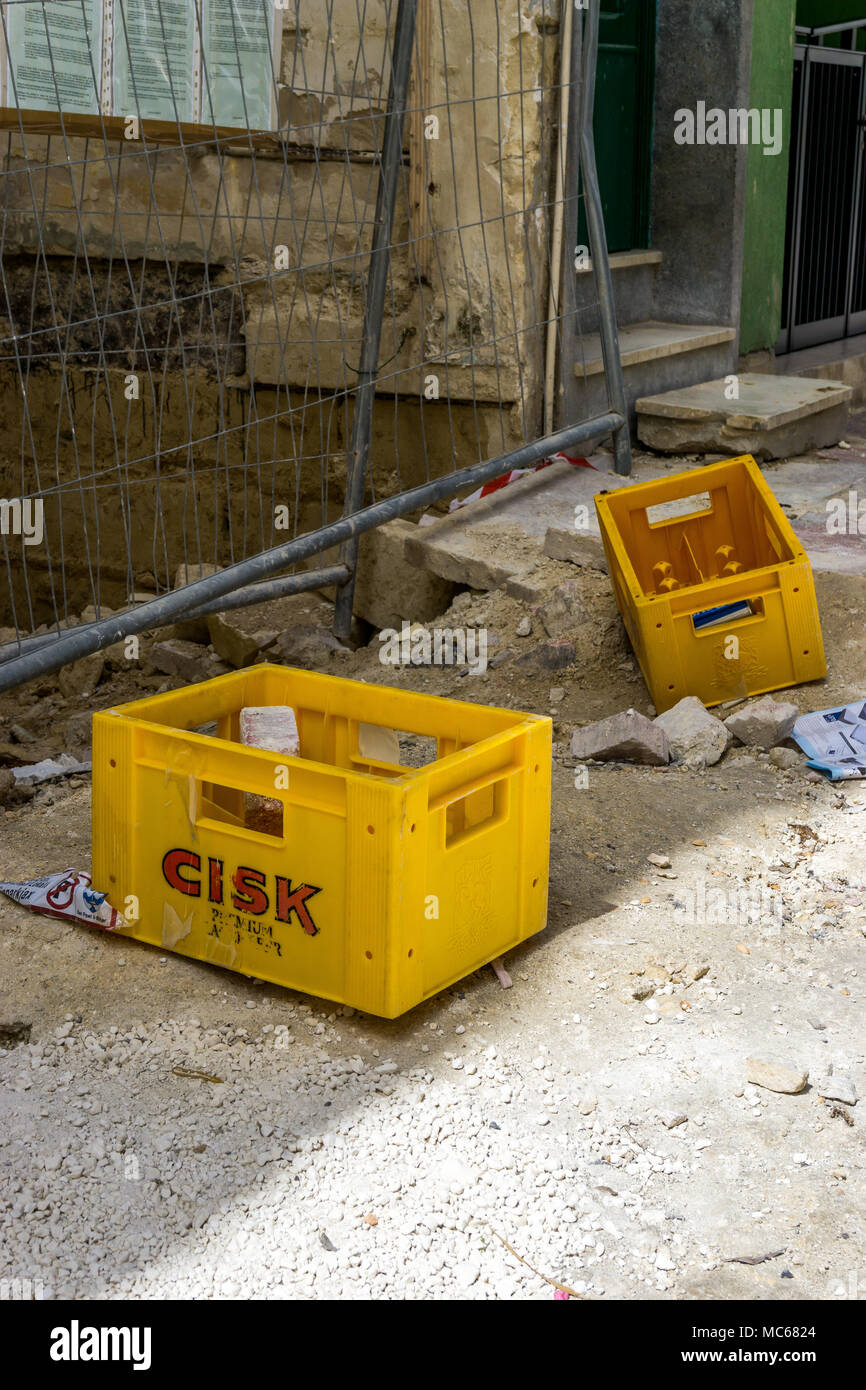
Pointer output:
259, 352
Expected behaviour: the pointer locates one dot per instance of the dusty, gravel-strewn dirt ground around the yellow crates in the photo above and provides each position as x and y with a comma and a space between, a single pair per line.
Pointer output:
753, 943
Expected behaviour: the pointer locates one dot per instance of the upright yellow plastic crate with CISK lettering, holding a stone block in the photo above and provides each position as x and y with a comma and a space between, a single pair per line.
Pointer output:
384, 885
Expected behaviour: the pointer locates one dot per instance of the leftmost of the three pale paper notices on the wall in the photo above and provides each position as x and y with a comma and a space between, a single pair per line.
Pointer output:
55, 56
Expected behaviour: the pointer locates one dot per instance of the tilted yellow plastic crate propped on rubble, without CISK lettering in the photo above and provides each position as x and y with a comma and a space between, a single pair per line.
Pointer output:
671, 572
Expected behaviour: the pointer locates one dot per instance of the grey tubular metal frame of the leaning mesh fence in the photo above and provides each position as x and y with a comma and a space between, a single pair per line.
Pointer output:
252, 580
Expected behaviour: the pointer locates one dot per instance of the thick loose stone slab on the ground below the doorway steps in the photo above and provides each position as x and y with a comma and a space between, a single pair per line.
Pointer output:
774, 418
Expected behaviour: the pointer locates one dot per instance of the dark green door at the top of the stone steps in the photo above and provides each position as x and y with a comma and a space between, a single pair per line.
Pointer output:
623, 120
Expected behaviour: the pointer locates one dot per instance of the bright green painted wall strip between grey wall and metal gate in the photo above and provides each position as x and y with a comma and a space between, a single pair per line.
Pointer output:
768, 179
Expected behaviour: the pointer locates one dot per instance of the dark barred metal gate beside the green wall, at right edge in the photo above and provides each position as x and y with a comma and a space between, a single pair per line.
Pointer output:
825, 275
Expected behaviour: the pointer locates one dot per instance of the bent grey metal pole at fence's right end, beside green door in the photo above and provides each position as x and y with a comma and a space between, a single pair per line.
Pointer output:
598, 245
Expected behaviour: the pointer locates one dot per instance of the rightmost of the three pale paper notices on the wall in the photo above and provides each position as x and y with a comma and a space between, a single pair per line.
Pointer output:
241, 58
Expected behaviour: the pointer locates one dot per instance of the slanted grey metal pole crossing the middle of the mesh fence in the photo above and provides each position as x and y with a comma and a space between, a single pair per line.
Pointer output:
377, 283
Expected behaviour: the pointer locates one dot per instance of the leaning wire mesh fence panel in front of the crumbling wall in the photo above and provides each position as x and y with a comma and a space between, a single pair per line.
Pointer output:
265, 269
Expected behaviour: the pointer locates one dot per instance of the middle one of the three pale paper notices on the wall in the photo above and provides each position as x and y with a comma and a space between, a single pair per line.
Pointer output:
155, 45
